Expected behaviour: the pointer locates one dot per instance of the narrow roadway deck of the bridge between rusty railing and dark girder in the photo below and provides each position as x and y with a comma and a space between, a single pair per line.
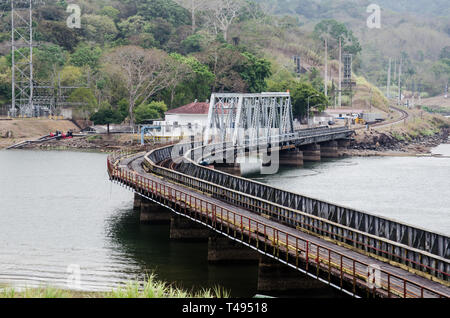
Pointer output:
317, 249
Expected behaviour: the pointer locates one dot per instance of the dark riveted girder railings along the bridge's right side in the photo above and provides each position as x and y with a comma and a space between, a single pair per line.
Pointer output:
354, 229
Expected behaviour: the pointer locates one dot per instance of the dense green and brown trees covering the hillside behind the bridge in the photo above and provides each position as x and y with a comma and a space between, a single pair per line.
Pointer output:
139, 57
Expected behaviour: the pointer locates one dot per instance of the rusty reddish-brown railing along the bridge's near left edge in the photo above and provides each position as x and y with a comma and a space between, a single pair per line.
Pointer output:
318, 261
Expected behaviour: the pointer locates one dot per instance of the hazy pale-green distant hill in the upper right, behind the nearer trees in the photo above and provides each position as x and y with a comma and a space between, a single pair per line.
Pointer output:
418, 31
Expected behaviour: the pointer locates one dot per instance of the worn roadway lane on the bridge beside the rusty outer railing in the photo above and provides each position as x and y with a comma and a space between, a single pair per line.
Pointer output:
396, 285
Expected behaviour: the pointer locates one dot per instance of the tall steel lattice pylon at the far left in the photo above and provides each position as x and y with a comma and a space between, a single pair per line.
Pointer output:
22, 58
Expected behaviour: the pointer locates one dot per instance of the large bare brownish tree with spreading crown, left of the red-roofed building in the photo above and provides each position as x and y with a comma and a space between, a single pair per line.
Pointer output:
144, 71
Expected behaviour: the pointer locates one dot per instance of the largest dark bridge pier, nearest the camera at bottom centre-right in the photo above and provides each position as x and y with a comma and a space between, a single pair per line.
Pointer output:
280, 279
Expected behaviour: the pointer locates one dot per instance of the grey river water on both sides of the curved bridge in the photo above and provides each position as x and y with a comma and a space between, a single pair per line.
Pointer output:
59, 209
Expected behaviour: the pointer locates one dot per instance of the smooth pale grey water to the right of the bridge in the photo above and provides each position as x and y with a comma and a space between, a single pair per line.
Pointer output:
408, 189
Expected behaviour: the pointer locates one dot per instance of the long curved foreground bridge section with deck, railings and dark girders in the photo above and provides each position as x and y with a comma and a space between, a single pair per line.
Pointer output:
321, 240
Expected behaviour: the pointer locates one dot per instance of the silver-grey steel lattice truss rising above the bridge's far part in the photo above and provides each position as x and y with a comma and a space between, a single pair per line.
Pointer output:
236, 117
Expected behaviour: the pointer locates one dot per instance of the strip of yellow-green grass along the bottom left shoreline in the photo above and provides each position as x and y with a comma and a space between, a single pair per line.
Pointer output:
150, 288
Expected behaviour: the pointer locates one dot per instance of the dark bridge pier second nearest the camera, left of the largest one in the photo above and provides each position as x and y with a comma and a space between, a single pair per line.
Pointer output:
224, 250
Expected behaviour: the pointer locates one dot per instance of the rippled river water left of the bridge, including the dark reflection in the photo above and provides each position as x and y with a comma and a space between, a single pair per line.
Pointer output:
59, 208
